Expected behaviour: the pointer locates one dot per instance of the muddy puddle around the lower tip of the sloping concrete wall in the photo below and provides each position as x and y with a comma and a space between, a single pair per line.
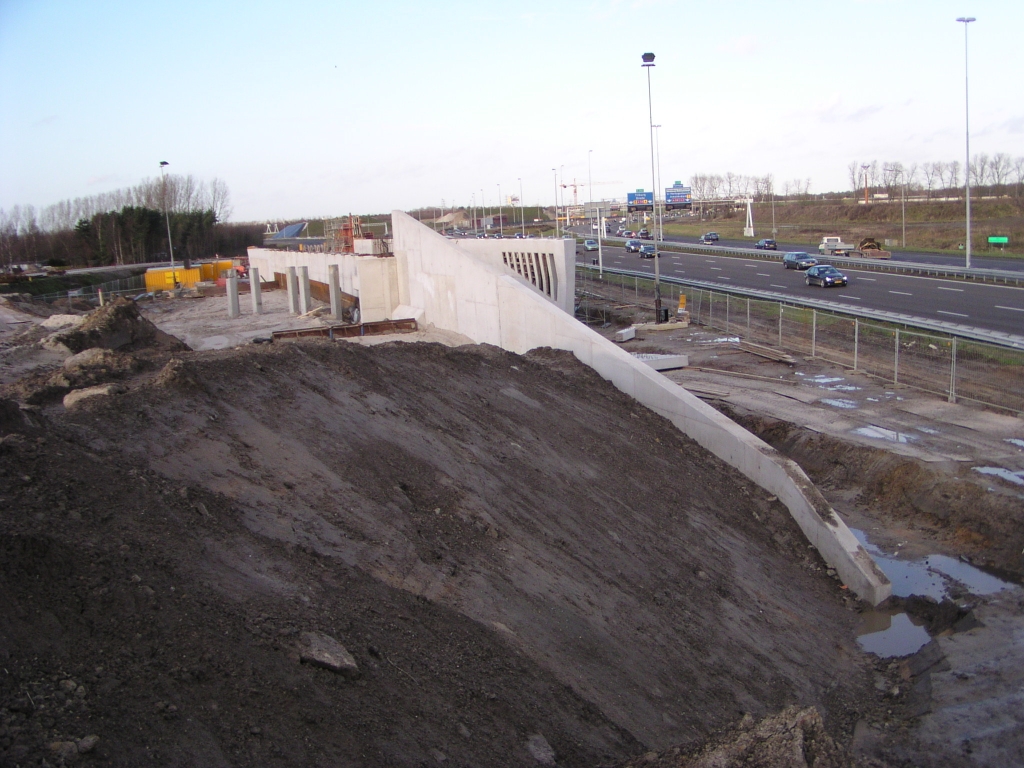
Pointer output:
894, 633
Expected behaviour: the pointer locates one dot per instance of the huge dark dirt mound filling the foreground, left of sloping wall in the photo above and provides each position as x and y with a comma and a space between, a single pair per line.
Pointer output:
525, 566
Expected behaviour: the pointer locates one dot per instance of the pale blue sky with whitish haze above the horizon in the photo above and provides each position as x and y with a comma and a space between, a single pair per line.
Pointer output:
316, 109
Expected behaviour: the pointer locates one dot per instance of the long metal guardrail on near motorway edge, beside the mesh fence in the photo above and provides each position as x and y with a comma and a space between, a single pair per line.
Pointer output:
909, 321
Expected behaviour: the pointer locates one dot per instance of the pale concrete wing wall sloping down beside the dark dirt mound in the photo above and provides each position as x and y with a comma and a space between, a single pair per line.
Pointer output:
483, 302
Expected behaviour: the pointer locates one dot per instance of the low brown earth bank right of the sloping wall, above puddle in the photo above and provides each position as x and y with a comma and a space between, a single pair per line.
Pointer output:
987, 526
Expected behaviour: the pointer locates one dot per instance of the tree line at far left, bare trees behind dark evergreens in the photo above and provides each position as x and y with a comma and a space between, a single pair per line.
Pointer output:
127, 227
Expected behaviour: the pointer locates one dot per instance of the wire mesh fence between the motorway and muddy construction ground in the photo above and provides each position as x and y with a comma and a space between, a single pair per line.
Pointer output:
949, 366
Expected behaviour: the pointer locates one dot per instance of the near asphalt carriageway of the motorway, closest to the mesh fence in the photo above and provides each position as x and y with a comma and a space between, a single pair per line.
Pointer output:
976, 305
